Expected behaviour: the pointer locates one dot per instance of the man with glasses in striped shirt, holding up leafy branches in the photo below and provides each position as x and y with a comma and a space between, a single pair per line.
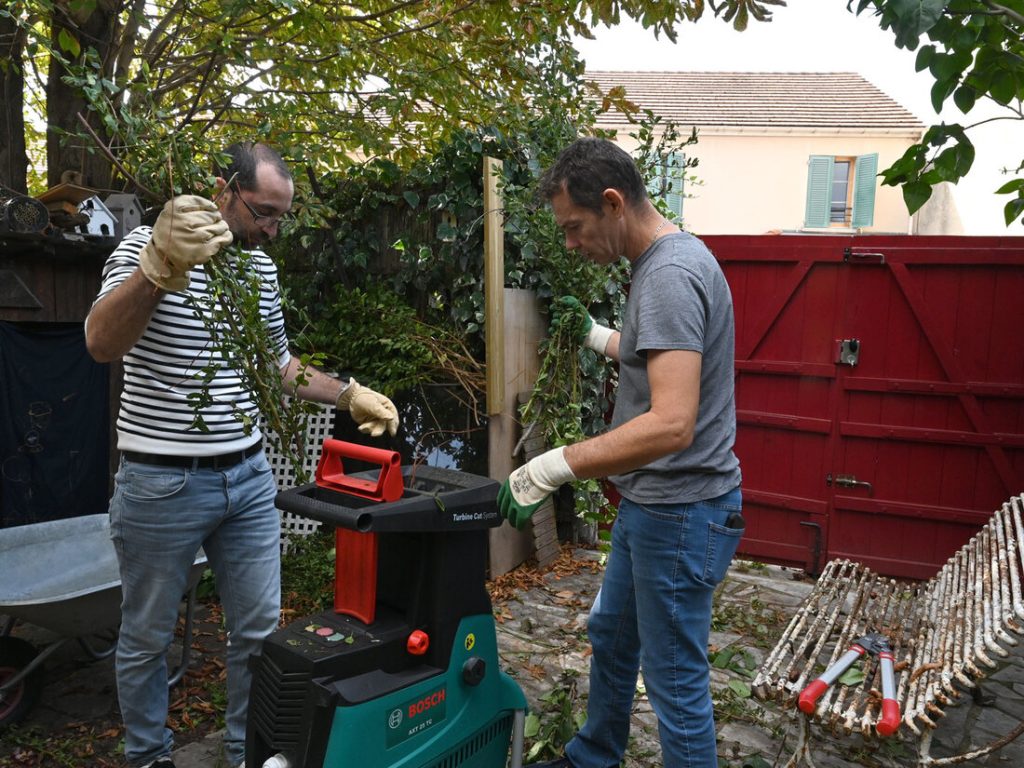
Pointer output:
179, 488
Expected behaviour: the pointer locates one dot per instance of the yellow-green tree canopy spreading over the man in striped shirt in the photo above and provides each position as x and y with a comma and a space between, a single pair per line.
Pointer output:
113, 80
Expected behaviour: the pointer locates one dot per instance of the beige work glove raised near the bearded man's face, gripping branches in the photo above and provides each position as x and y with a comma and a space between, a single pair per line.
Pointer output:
189, 232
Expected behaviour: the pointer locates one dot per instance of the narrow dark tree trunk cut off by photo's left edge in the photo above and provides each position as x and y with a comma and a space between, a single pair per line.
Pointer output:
14, 161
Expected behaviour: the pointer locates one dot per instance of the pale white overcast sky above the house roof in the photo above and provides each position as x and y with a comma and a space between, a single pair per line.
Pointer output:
824, 36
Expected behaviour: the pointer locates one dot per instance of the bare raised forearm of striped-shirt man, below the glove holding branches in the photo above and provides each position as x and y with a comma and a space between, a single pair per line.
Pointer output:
118, 321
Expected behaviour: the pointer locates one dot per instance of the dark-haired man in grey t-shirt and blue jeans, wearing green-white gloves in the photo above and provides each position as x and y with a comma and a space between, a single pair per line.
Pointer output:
669, 454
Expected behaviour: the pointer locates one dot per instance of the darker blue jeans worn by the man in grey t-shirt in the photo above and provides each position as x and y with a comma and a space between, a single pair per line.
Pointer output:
654, 612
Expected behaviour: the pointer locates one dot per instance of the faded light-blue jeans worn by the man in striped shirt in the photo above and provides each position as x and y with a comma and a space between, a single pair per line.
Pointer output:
160, 518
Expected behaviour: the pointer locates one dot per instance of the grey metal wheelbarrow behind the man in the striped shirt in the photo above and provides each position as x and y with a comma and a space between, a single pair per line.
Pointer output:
63, 576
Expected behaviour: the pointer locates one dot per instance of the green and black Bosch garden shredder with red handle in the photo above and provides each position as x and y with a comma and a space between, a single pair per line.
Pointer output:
404, 673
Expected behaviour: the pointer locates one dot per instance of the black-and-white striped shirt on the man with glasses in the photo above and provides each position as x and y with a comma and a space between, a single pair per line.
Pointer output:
162, 369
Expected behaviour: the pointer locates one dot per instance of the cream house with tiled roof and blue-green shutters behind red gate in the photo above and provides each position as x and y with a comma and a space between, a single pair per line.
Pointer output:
780, 152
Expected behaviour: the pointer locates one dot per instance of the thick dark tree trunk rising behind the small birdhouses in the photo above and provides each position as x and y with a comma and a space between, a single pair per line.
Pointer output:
65, 104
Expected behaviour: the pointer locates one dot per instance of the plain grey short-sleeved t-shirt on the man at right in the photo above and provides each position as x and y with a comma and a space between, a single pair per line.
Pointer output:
679, 301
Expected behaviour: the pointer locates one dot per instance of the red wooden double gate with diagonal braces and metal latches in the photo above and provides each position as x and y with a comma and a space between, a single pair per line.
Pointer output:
880, 394
